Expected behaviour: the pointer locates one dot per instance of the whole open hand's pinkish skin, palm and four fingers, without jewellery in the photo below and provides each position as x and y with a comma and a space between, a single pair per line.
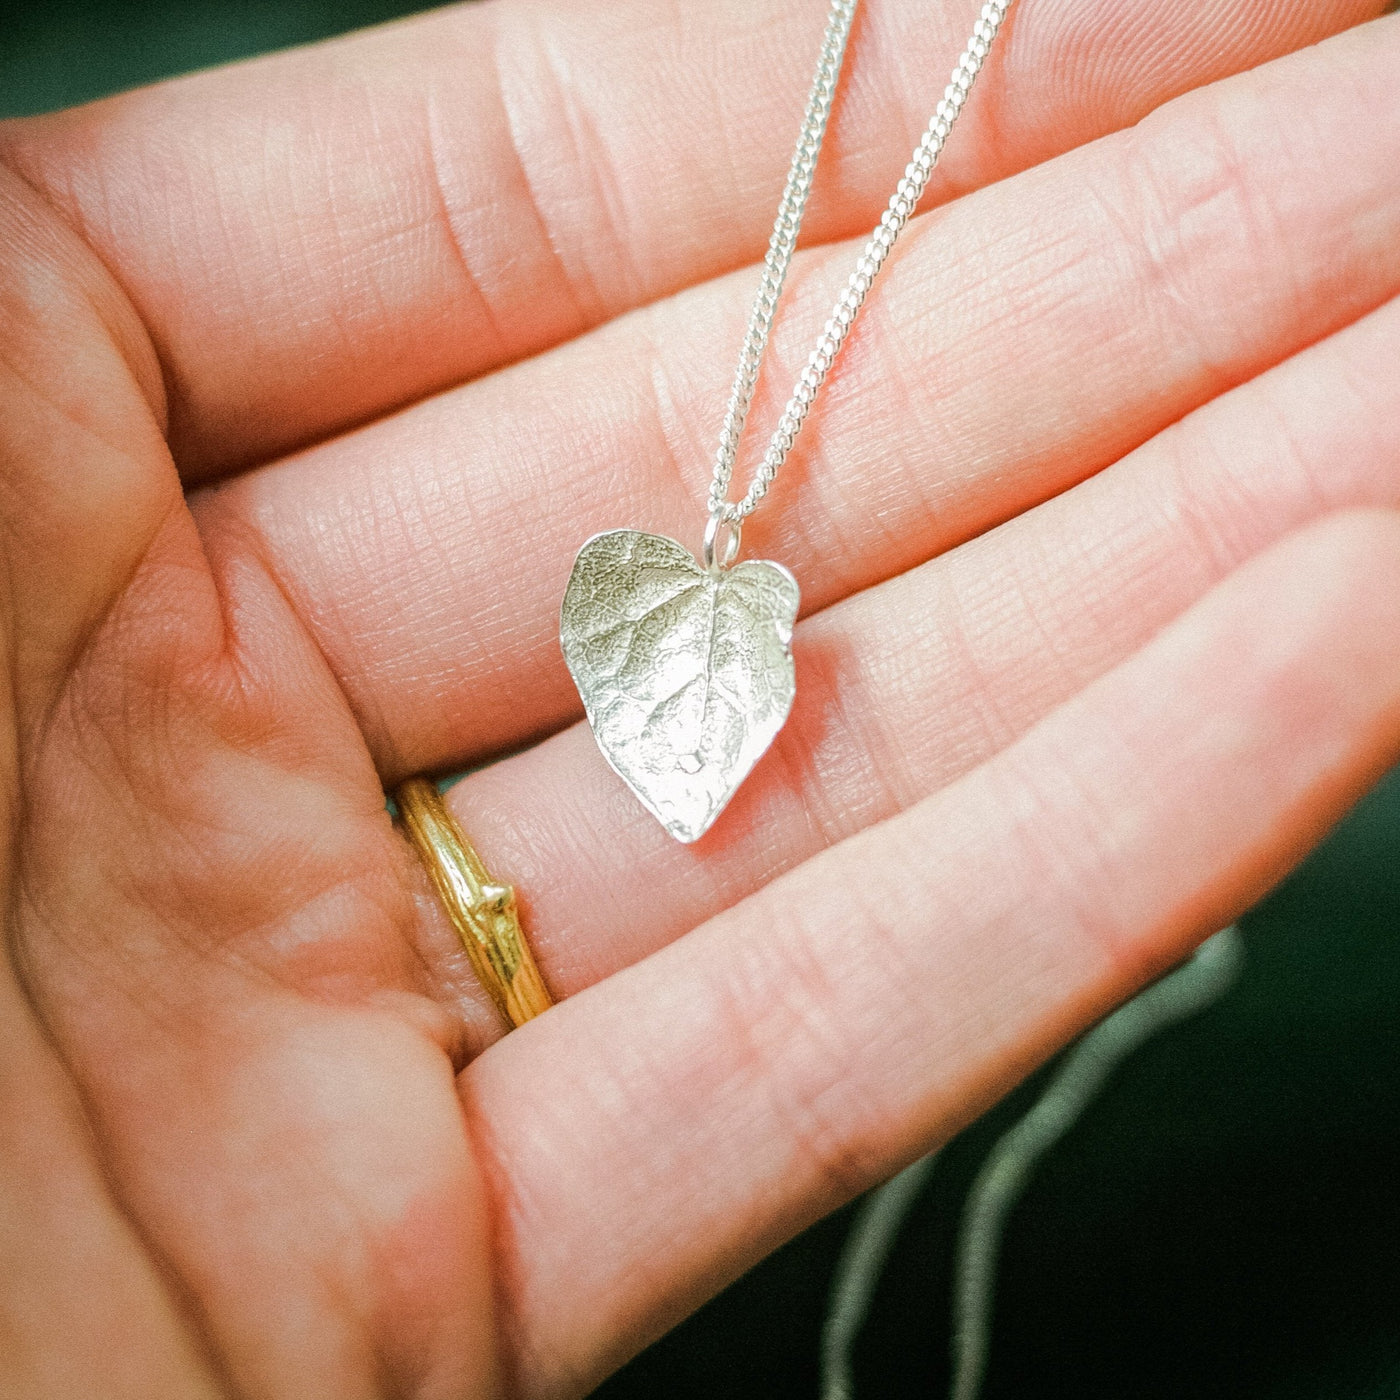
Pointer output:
314, 374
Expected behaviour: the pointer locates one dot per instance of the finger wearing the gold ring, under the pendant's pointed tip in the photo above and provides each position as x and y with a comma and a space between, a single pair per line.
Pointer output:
908, 687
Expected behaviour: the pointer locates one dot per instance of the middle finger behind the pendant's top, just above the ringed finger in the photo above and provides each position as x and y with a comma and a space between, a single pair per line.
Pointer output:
1027, 338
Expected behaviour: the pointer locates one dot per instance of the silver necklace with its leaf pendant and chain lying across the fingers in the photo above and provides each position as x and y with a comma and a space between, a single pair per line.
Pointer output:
685, 667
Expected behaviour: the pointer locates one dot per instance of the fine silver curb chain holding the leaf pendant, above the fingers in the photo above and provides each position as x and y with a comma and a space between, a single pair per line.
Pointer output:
726, 516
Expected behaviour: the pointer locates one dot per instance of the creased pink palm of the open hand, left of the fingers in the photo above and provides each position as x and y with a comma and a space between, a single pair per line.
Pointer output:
202, 839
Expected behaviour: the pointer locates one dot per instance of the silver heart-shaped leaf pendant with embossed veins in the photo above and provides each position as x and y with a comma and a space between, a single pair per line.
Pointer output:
685, 673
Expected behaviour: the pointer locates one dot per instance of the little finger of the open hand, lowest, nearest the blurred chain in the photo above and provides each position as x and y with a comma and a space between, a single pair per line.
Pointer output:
860, 1010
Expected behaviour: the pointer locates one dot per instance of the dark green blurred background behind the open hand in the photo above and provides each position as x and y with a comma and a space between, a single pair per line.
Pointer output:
1224, 1223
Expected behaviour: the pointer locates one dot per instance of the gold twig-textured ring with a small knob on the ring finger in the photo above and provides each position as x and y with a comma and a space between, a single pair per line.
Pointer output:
482, 909
